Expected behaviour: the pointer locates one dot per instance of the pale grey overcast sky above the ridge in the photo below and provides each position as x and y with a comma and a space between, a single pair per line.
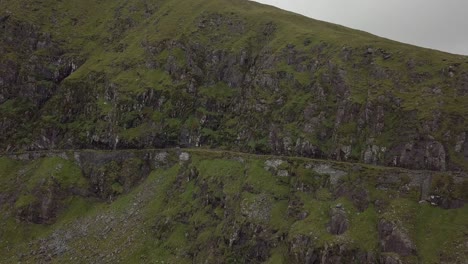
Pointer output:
436, 24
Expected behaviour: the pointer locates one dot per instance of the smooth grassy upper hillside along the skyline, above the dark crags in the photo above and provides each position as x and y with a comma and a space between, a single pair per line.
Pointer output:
177, 18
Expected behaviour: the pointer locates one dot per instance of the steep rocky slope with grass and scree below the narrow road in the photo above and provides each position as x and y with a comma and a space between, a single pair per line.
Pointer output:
195, 206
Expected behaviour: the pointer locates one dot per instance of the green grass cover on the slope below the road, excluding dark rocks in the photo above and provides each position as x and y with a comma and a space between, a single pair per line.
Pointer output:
175, 216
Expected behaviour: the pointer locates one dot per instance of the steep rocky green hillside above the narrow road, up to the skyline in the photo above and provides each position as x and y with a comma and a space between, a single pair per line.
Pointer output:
225, 74
